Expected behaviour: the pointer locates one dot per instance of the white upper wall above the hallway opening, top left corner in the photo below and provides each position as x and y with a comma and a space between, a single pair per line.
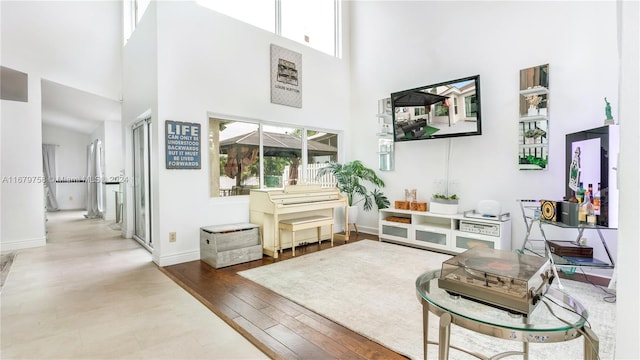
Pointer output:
75, 43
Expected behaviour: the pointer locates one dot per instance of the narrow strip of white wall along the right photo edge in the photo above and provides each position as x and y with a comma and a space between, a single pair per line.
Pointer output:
628, 281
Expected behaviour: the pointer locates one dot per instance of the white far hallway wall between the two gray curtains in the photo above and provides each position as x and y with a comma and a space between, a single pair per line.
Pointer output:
71, 163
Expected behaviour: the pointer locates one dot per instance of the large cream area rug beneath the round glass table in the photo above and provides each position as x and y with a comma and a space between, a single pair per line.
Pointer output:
369, 287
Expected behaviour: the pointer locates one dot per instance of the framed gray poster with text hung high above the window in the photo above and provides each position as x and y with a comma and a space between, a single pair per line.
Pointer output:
286, 77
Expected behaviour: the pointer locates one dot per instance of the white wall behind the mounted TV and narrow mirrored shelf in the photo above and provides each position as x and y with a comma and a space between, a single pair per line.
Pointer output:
496, 41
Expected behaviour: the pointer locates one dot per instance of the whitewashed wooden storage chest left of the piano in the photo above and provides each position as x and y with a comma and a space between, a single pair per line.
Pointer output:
226, 245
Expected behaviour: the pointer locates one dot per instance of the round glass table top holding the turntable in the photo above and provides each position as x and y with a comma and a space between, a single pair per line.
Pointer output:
562, 313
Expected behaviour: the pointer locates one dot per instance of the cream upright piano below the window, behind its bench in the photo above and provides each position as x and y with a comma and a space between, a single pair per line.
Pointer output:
269, 206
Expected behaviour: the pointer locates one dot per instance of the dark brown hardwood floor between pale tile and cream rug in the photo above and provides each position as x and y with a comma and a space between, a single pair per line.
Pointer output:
279, 327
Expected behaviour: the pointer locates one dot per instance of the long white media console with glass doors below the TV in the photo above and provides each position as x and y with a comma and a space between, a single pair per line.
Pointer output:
445, 233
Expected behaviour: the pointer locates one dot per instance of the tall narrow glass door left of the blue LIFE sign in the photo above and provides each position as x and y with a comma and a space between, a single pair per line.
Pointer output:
141, 183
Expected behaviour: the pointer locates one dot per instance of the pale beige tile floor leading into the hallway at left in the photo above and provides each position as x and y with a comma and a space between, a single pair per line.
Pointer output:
91, 294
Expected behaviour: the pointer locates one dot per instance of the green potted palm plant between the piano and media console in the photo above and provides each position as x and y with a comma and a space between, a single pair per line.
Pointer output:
351, 180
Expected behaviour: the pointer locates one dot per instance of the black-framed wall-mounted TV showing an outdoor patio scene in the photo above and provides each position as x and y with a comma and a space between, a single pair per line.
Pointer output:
446, 109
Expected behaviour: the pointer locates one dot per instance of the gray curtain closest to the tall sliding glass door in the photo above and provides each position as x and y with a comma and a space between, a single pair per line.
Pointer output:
95, 186
